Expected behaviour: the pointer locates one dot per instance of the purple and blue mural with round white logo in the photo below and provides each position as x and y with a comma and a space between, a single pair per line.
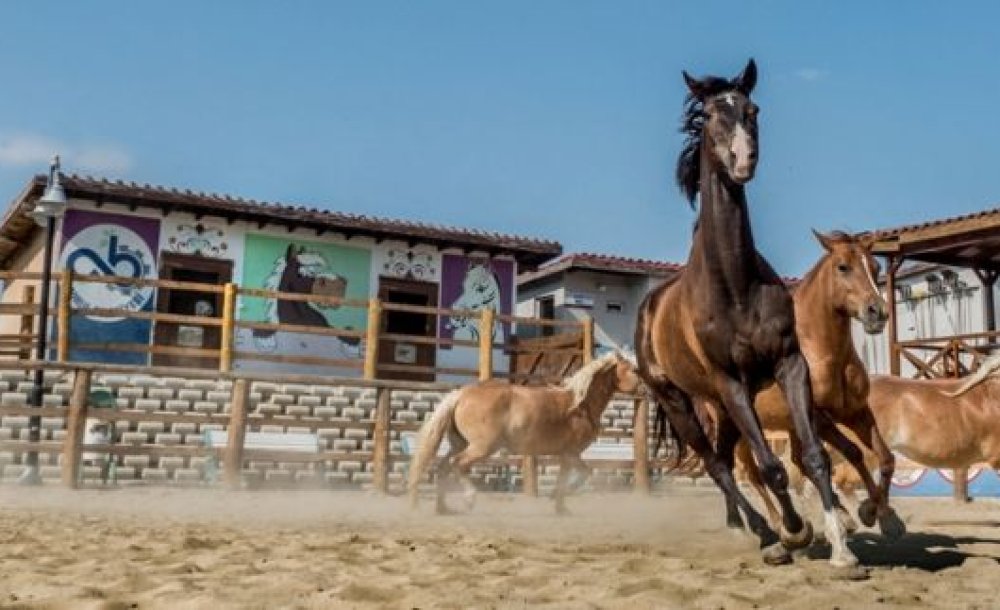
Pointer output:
99, 244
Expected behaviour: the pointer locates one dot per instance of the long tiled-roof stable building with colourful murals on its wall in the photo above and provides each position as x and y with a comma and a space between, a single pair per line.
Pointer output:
152, 232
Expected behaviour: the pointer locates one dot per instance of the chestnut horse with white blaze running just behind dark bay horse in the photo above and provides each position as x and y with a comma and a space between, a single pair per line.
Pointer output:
841, 286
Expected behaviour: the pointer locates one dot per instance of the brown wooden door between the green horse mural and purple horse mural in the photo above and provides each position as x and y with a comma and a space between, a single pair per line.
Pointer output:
395, 350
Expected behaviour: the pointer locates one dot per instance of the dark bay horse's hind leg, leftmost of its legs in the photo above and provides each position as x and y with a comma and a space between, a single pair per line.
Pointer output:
681, 415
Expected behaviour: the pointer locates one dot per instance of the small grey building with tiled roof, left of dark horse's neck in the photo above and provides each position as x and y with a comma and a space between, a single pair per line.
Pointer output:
608, 289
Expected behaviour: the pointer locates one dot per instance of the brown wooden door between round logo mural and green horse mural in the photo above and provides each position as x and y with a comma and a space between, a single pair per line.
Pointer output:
192, 336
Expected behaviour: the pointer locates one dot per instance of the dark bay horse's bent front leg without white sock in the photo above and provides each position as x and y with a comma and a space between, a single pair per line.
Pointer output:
795, 533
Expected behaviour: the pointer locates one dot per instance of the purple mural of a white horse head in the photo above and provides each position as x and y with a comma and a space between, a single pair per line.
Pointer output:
476, 283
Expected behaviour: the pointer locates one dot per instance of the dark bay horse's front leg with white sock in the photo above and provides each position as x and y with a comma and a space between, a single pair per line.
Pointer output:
793, 376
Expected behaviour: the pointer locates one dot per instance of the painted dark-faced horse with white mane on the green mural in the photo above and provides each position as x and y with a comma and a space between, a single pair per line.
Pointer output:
302, 271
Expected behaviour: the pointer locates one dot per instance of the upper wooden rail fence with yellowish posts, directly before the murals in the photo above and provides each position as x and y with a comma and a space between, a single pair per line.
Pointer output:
18, 345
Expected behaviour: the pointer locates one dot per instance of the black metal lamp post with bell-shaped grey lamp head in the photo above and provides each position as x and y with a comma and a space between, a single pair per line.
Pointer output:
47, 210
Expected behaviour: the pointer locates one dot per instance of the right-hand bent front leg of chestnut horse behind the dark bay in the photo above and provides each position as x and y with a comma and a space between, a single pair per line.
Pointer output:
877, 504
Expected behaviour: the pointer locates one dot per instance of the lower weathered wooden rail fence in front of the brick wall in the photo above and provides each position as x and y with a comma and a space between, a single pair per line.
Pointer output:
239, 418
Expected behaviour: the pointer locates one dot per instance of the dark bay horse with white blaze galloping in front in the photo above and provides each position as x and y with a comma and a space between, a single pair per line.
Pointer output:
724, 328
